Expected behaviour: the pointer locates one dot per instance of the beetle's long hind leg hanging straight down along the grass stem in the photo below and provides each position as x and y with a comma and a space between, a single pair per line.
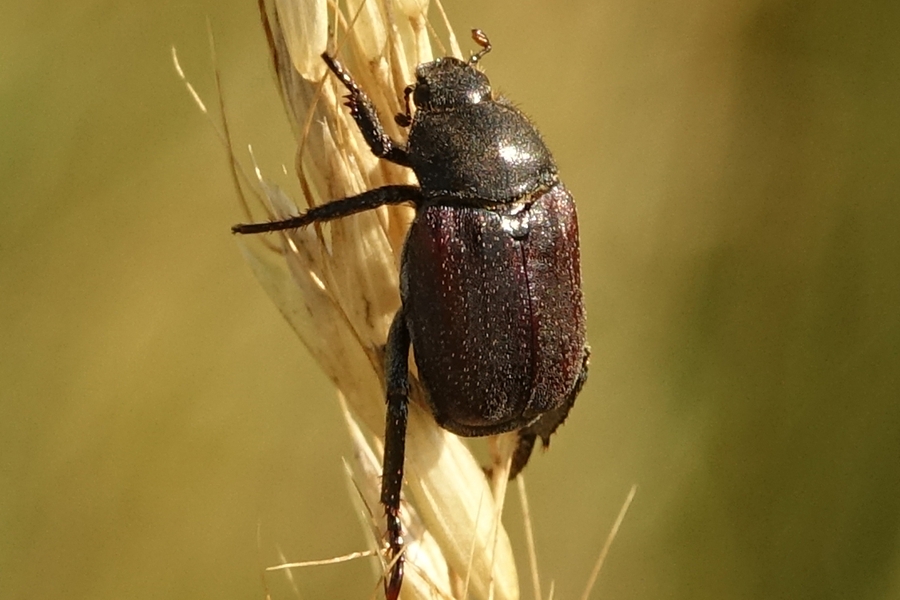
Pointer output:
397, 375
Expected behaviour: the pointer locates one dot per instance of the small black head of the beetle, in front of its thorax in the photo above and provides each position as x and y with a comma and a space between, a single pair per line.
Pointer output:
448, 82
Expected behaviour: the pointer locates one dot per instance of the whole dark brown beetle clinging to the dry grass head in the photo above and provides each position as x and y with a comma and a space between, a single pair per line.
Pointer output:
490, 288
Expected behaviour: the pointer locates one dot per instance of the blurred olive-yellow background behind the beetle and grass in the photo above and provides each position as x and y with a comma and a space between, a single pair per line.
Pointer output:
164, 435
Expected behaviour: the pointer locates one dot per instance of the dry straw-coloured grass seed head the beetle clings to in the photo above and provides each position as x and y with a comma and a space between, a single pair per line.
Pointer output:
337, 284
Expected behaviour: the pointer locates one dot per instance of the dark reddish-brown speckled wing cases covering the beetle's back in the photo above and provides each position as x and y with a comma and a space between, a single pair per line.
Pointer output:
494, 306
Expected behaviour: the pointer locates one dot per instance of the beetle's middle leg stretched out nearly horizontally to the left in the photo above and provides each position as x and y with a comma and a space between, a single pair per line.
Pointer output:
336, 209
